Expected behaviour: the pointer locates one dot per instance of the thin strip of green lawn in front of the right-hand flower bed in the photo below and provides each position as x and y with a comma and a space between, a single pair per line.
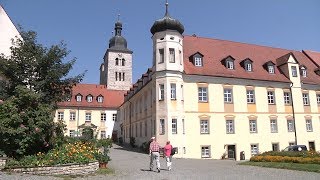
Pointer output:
292, 166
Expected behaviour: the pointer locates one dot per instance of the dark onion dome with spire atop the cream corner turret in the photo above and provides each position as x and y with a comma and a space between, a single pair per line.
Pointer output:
167, 23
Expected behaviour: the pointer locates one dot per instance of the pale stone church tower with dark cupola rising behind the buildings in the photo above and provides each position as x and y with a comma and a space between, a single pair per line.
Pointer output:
116, 70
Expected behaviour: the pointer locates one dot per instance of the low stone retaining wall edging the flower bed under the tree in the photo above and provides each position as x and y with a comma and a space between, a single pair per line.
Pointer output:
66, 169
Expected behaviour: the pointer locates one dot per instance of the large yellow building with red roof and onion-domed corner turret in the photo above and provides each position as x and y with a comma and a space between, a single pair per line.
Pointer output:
221, 99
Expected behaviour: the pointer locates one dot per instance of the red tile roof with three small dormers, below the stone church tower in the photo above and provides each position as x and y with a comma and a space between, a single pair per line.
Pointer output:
111, 98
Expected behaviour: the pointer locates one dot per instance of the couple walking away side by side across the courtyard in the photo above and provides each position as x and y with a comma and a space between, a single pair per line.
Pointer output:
154, 152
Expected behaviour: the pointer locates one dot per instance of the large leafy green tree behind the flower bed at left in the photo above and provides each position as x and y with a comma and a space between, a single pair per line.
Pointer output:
36, 78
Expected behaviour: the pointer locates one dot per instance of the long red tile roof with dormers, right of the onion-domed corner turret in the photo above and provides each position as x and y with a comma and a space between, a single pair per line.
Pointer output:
214, 50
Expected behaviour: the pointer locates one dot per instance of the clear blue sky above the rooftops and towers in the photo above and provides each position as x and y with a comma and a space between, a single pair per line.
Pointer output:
86, 26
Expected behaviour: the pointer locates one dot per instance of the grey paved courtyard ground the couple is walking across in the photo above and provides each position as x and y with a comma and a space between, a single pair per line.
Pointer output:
134, 165
